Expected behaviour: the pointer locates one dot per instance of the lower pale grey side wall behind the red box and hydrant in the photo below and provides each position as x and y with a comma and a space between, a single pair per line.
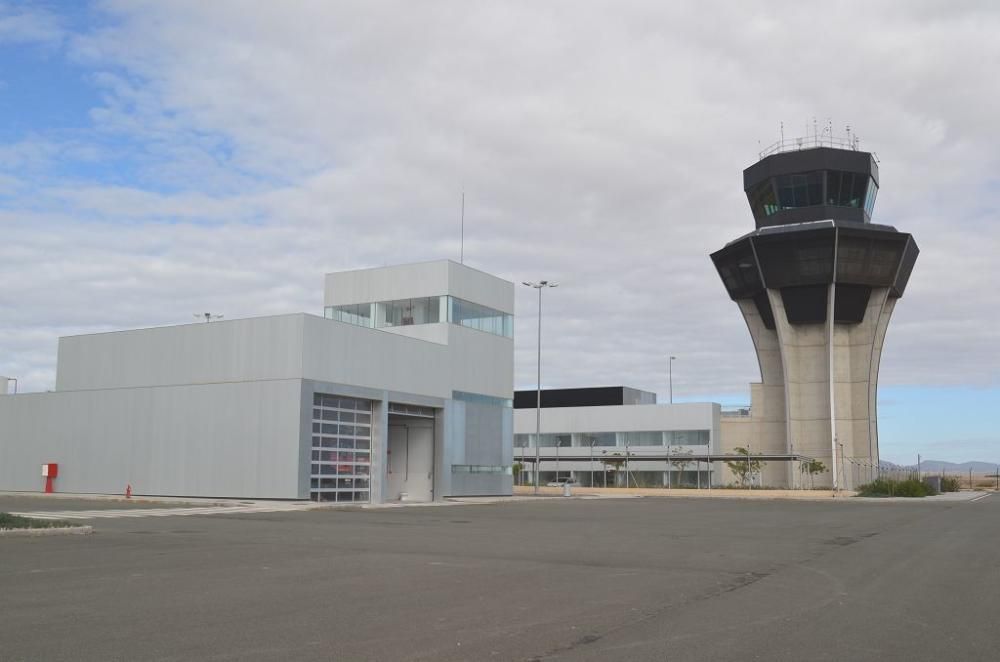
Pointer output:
224, 440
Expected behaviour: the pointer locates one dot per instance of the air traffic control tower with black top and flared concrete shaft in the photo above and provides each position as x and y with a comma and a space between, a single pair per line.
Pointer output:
816, 282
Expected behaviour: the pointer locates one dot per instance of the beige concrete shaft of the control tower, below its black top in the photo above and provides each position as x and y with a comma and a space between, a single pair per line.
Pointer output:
791, 409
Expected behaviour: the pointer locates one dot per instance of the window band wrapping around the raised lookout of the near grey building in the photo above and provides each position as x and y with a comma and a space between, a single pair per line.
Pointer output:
425, 310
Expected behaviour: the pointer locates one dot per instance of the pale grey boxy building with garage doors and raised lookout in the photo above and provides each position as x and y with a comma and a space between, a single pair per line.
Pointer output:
401, 391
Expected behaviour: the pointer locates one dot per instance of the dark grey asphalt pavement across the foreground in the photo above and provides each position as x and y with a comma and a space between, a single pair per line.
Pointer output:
623, 579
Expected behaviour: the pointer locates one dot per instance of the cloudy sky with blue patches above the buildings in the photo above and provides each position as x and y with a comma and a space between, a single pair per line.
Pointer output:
162, 158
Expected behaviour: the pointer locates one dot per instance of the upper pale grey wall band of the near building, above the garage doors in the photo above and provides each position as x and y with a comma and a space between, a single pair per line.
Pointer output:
288, 347
